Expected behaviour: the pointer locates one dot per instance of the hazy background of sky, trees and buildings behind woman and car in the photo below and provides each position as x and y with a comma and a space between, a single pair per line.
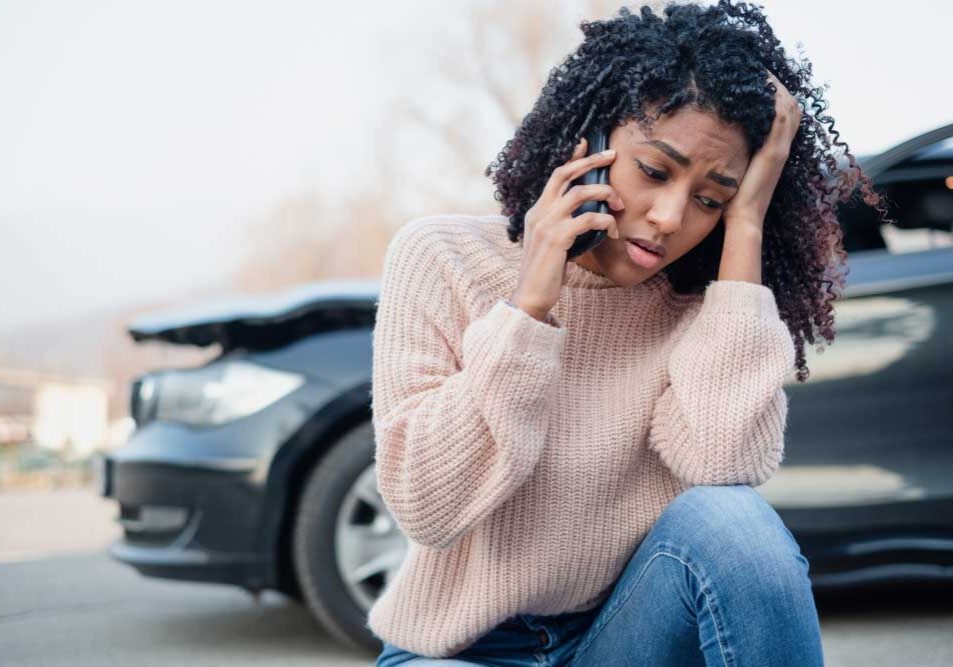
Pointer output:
163, 154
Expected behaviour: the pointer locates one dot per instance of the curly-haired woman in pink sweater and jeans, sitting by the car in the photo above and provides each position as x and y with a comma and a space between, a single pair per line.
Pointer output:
570, 446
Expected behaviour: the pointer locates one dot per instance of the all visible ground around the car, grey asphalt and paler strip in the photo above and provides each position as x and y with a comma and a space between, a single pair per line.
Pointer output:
64, 601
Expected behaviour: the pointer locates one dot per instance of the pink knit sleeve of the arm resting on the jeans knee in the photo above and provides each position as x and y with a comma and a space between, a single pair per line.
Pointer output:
721, 417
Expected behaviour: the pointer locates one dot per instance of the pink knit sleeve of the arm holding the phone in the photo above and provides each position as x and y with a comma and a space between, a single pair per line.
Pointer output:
454, 439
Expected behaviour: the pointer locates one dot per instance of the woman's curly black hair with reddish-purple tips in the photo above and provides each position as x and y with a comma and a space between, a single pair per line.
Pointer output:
713, 58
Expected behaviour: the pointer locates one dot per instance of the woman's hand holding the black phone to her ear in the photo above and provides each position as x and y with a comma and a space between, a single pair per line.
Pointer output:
549, 230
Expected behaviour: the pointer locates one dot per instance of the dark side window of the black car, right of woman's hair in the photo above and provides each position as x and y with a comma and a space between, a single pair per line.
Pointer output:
919, 194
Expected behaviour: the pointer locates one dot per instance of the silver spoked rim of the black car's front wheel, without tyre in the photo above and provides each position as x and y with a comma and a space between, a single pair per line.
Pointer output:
369, 546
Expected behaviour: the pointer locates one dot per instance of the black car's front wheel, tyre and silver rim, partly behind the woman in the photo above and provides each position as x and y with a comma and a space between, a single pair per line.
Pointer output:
346, 545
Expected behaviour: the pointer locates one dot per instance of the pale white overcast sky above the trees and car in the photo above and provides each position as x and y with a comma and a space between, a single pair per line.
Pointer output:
139, 137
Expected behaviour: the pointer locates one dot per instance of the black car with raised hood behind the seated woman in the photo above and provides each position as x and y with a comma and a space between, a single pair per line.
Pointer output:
257, 468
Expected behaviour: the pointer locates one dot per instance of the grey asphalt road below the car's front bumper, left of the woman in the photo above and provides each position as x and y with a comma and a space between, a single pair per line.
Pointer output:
88, 610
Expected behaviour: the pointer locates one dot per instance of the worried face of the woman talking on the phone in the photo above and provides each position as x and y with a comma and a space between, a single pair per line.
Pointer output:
674, 184
